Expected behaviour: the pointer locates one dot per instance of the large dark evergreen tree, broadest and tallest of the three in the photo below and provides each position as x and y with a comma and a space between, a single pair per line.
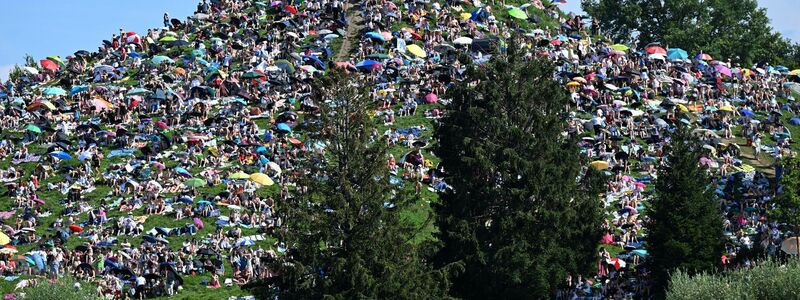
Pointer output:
517, 221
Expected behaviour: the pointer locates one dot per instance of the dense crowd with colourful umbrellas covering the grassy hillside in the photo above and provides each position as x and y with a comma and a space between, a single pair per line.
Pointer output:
194, 127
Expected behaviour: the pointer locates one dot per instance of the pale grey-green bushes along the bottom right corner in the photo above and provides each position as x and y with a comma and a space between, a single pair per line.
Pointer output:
768, 280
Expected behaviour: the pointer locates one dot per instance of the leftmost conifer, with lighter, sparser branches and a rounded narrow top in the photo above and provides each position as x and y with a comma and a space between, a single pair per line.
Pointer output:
346, 237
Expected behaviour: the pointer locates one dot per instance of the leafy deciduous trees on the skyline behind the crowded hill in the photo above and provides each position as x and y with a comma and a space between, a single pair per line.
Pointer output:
738, 30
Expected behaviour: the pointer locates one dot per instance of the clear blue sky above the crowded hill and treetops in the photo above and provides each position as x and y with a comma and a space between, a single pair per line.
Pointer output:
57, 27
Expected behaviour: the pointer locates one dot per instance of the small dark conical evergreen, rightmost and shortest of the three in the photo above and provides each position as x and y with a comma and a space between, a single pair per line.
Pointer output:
686, 229
